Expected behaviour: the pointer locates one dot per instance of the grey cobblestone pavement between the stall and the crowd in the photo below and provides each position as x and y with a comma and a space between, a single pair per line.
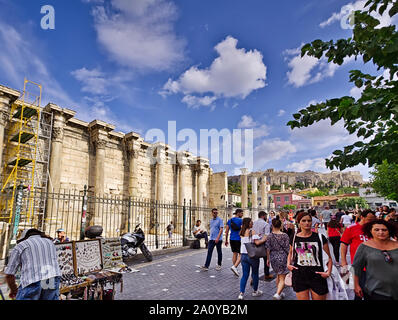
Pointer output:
178, 276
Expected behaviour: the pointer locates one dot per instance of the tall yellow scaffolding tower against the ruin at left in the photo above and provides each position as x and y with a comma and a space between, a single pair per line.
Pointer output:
20, 152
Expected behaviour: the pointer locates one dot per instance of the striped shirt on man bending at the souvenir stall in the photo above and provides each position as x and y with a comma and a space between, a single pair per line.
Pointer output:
36, 256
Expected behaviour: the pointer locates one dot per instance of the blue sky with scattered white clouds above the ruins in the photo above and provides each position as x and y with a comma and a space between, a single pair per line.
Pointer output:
205, 64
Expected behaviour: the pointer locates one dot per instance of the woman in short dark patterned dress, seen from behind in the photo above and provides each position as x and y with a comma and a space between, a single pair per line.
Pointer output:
277, 245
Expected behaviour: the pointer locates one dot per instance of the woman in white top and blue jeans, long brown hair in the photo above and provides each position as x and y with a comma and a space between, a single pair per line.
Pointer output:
247, 235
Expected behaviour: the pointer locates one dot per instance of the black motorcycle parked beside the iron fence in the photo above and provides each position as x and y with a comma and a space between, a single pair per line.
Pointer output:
132, 241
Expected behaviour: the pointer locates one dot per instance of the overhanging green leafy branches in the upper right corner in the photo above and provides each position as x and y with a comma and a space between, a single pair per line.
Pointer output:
374, 115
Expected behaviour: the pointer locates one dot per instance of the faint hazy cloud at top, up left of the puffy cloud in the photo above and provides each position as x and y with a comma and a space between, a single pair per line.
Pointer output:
140, 33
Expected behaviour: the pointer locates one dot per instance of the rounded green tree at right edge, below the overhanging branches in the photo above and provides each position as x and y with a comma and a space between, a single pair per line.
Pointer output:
384, 180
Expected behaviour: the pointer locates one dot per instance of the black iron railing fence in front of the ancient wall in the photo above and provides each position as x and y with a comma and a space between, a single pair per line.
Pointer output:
74, 210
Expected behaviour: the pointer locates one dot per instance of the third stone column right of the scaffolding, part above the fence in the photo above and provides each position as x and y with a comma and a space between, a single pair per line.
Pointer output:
133, 148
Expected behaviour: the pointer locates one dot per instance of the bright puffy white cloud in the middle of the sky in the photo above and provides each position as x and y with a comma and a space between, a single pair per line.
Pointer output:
235, 73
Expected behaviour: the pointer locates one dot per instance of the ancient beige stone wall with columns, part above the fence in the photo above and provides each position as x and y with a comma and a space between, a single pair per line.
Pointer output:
118, 164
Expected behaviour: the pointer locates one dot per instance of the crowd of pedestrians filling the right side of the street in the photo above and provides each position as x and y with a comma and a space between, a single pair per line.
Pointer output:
297, 249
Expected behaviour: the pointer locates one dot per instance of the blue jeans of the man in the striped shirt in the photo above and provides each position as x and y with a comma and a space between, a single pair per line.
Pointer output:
35, 291
